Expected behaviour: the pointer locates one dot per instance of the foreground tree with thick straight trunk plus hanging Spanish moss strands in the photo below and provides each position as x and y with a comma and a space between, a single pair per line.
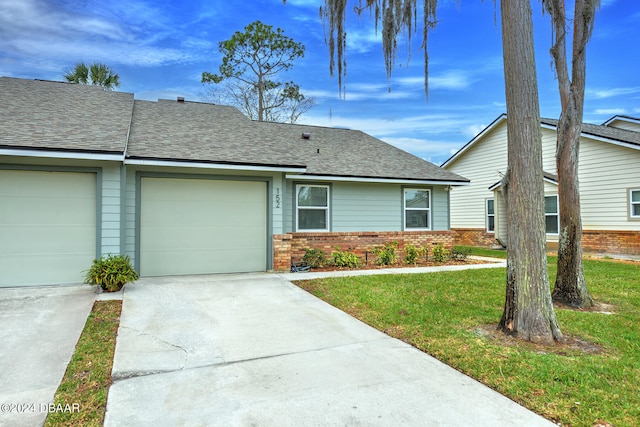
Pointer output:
528, 311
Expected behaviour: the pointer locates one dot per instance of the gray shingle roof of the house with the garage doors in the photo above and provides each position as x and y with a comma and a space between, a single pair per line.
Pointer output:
63, 116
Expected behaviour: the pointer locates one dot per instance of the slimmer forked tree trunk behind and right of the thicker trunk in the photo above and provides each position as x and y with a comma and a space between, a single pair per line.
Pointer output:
570, 287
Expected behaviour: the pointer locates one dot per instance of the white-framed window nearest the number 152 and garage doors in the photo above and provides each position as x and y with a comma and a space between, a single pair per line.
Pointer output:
312, 206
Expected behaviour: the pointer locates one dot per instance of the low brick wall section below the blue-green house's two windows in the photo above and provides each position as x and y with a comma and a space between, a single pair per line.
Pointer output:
291, 246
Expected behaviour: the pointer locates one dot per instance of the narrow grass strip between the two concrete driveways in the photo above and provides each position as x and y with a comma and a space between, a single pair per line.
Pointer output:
88, 377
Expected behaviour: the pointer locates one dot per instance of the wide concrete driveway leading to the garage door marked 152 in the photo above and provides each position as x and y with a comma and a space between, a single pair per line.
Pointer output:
245, 350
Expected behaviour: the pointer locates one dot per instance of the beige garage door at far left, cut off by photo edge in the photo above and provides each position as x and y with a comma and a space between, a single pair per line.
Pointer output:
47, 227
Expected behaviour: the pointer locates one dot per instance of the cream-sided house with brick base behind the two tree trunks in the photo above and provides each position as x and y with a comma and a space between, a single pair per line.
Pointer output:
609, 174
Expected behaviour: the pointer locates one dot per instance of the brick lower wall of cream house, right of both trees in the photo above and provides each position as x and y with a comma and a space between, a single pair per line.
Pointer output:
614, 242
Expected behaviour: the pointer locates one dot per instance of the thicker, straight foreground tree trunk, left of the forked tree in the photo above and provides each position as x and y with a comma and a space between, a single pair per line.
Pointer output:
528, 310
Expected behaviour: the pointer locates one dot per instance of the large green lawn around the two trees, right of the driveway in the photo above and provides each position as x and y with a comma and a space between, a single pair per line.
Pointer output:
442, 313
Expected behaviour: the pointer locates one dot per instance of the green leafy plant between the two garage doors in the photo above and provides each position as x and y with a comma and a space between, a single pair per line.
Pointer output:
111, 272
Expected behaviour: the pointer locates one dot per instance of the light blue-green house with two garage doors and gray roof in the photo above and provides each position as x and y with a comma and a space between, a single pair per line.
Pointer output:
193, 188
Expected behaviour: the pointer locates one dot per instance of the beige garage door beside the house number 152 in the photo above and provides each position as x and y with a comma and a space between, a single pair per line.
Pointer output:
196, 226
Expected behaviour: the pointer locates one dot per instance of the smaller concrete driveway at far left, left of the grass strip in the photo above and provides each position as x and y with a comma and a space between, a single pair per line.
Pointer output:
39, 329
